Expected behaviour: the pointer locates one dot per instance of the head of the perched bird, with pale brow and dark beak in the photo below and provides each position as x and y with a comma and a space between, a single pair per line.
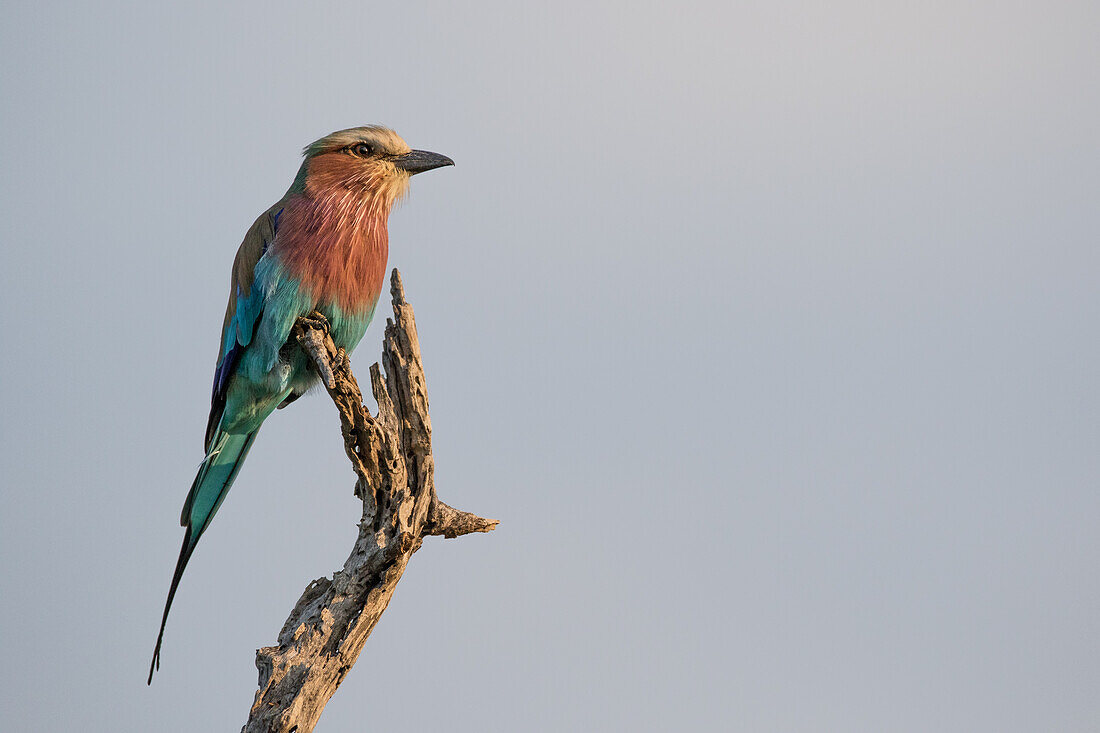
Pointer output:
371, 163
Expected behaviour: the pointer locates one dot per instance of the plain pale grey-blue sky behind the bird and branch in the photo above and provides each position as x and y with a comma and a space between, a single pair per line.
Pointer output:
768, 331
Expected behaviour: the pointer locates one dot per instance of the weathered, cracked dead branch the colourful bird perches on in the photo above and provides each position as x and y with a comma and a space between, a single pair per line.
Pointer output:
392, 457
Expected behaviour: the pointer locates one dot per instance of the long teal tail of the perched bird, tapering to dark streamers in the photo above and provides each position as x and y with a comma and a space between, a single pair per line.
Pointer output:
212, 485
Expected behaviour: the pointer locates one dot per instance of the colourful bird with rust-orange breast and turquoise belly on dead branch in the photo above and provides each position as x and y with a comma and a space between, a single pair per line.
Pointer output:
323, 247
